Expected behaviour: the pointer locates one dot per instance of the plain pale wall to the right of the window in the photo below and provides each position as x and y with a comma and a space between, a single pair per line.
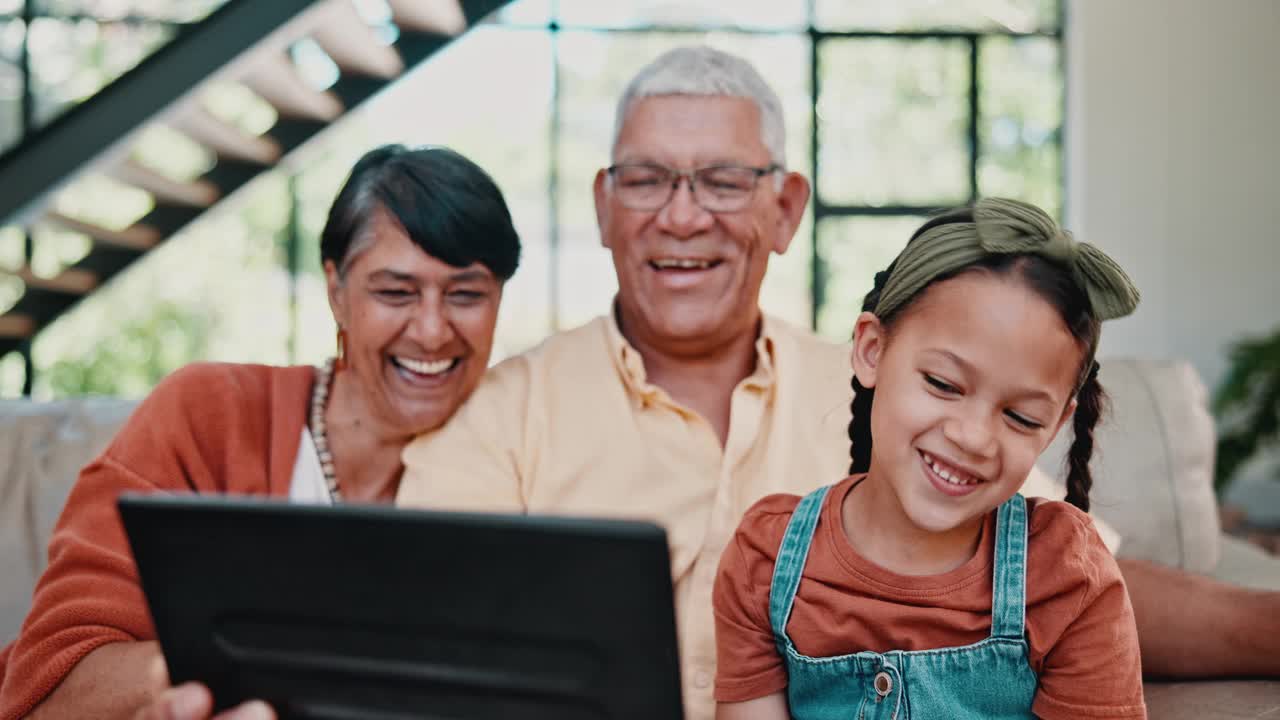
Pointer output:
1173, 139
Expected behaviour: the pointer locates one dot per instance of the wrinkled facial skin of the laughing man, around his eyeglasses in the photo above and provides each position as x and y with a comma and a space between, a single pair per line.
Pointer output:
714, 298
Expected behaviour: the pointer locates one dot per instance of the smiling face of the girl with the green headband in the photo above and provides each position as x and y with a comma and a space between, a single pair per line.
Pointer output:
972, 382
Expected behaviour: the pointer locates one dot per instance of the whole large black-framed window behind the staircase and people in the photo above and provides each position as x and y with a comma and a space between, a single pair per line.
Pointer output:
894, 108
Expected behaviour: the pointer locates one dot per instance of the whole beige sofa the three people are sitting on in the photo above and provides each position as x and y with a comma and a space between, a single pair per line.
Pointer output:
1153, 484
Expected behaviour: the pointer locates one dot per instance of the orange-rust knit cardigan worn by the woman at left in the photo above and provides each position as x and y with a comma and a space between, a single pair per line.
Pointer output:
205, 429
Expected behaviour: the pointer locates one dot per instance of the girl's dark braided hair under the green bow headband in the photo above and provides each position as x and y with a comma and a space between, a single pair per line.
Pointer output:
1053, 282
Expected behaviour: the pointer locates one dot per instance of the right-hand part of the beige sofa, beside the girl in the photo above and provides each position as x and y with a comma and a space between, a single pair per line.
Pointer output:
1154, 484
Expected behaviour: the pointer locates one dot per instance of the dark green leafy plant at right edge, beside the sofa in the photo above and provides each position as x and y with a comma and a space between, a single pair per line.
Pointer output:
1247, 405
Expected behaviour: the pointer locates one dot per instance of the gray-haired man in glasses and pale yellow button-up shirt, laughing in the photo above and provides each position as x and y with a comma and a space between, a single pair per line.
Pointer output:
687, 403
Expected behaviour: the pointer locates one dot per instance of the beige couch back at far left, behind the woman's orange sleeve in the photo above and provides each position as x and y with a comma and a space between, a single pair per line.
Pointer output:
43, 448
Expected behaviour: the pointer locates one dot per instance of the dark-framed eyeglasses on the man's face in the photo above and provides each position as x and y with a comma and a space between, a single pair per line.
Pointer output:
723, 189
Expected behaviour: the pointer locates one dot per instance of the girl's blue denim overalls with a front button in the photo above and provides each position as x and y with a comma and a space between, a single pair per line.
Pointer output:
988, 680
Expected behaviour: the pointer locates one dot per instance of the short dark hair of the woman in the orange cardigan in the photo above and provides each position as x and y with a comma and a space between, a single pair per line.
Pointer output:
450, 208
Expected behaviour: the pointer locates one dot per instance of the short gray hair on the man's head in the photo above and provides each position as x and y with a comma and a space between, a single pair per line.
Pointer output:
708, 72
